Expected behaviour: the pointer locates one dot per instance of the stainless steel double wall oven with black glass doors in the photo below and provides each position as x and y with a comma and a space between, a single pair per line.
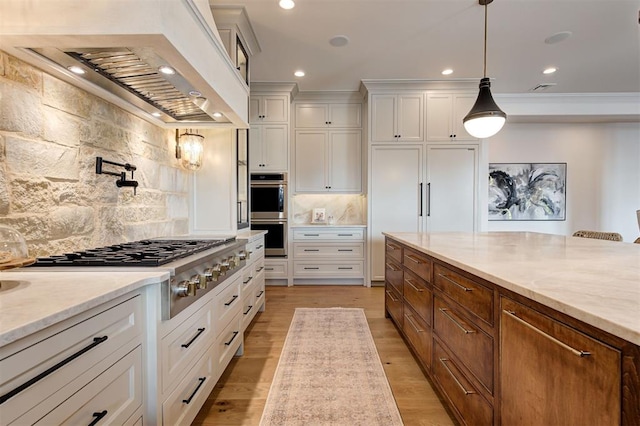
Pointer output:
269, 210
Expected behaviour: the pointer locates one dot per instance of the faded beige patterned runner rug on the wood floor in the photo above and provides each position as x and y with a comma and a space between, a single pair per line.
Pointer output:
330, 373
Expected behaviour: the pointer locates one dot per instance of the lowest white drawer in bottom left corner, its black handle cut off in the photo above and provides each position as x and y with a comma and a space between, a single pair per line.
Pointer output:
112, 397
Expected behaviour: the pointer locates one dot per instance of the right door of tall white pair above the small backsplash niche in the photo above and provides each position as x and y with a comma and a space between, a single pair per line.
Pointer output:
345, 160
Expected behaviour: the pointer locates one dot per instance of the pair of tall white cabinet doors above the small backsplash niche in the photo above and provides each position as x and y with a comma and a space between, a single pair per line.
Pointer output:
328, 161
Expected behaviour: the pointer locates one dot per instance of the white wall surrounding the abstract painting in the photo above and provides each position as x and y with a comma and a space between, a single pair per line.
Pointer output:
603, 172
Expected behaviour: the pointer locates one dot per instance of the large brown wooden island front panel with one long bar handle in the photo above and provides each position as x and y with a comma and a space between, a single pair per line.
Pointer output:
566, 388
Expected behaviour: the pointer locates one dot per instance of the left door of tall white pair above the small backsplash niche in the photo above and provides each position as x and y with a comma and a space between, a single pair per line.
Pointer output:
311, 163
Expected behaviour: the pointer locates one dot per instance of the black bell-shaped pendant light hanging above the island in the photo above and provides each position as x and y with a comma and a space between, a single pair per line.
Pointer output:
485, 118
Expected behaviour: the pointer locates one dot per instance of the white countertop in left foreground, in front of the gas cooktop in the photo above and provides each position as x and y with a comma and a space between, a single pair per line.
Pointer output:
32, 301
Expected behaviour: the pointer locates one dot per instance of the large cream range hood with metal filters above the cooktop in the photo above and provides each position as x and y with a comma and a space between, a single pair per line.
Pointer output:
123, 47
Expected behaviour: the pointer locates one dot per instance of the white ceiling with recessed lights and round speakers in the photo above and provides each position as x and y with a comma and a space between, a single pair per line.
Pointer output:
417, 39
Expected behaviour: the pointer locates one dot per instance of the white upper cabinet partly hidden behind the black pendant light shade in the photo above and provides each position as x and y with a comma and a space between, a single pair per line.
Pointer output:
445, 112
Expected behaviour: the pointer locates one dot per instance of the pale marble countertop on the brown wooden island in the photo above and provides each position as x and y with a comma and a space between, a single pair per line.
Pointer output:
597, 282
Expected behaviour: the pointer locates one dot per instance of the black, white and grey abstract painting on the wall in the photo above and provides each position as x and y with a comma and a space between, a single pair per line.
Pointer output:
527, 191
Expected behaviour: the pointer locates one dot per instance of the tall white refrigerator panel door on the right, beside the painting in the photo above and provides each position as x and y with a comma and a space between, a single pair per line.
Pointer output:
452, 188
